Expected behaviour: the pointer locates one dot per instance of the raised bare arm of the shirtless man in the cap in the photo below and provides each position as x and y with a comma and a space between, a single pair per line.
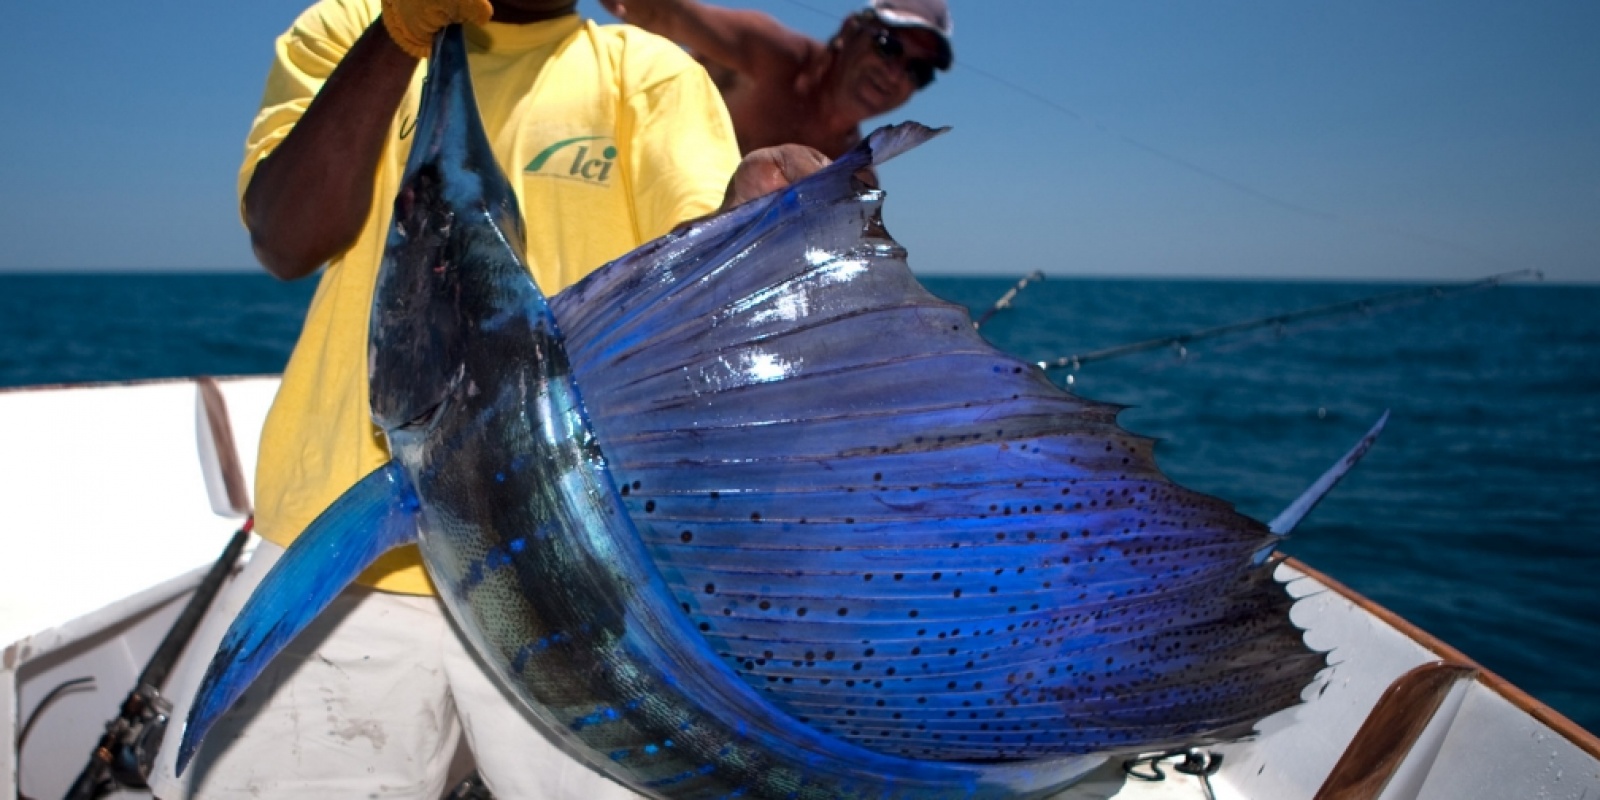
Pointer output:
746, 42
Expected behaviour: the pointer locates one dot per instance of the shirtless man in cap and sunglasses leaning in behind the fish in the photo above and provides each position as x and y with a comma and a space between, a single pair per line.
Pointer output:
785, 87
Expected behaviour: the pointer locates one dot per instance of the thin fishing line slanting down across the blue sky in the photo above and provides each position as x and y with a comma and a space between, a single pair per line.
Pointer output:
1212, 175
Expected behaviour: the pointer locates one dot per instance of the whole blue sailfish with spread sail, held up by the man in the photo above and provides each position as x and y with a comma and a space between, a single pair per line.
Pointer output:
748, 513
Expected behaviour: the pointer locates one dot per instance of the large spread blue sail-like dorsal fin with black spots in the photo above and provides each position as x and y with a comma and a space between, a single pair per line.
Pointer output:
897, 534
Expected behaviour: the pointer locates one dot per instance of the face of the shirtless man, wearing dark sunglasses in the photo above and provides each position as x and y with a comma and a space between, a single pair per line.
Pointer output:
884, 66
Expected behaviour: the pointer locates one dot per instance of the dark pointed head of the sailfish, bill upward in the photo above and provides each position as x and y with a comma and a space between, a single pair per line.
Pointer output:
454, 262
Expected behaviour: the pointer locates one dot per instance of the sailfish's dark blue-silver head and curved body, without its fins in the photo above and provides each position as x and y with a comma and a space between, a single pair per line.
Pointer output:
526, 534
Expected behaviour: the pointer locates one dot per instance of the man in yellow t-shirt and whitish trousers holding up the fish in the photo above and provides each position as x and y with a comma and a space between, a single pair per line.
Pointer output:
610, 137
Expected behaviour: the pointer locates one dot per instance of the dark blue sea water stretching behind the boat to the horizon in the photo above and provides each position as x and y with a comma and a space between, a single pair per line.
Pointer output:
1474, 518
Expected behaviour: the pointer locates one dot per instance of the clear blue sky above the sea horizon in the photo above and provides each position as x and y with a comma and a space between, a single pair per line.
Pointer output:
1422, 140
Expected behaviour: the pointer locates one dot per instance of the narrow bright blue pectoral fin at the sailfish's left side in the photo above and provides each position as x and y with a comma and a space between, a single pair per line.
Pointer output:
375, 516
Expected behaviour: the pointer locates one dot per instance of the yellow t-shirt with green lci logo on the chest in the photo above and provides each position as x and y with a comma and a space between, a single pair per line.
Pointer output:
610, 138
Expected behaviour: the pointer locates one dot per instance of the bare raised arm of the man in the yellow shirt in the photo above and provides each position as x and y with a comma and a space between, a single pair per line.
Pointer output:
334, 148
